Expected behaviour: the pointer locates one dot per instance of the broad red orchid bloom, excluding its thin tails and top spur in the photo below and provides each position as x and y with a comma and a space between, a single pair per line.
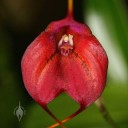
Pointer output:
68, 58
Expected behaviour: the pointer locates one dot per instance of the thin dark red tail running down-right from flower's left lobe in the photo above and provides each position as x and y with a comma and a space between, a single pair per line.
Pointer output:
52, 115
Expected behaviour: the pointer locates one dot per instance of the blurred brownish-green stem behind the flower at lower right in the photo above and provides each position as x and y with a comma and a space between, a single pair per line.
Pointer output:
99, 103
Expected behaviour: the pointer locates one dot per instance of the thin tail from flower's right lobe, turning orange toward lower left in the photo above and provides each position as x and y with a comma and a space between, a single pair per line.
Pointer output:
68, 118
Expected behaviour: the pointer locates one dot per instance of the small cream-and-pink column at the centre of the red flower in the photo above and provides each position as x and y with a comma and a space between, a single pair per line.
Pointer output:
65, 45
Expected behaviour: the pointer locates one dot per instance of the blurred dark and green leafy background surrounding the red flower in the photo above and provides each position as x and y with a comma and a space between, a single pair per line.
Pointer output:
22, 20
